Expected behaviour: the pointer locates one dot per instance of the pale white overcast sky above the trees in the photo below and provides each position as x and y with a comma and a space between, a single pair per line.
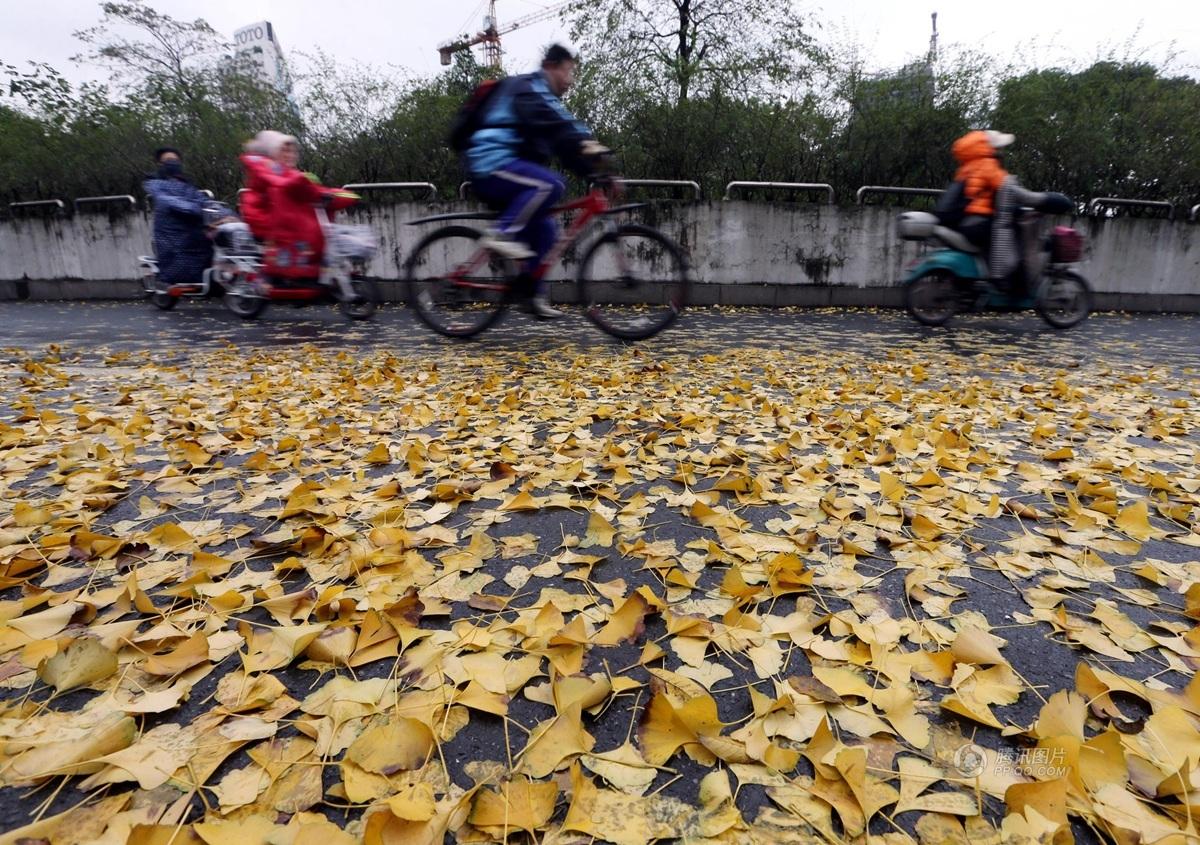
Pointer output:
405, 33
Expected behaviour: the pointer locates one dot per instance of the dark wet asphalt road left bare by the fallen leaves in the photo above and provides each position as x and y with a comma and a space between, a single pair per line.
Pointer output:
1167, 345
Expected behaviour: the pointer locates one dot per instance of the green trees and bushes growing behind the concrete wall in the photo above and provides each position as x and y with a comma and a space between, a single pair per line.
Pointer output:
706, 91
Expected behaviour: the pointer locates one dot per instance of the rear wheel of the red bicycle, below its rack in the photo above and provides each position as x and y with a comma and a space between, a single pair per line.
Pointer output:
454, 287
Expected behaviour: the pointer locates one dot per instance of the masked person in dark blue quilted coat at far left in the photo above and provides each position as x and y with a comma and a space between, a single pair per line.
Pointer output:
181, 239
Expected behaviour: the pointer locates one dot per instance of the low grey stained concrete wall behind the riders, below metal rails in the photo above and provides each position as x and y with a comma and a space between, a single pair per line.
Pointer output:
742, 254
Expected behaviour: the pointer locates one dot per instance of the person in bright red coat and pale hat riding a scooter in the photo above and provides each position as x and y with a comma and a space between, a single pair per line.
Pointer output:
281, 208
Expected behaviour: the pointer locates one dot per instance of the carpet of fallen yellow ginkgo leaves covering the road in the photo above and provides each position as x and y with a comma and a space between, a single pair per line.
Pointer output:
749, 597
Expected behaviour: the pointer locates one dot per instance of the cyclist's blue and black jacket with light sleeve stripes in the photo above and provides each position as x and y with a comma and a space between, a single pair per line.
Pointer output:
526, 121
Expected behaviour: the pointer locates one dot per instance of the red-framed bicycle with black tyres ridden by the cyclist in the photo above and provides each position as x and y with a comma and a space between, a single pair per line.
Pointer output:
460, 289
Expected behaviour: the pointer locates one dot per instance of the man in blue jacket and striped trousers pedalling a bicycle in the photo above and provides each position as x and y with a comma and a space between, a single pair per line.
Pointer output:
524, 128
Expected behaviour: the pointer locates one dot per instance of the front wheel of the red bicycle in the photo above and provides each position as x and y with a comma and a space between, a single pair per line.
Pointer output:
634, 281
